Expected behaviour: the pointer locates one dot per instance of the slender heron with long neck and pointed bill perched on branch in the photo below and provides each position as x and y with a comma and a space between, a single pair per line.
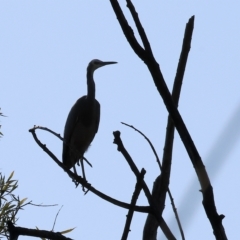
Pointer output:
82, 122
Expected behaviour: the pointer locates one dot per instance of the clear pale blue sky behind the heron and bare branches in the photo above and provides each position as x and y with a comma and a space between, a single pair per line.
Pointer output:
45, 47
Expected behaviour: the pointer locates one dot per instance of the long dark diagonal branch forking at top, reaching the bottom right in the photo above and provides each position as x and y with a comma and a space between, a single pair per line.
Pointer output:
153, 66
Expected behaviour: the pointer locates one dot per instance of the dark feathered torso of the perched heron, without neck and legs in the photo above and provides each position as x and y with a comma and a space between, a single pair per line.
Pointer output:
84, 122
